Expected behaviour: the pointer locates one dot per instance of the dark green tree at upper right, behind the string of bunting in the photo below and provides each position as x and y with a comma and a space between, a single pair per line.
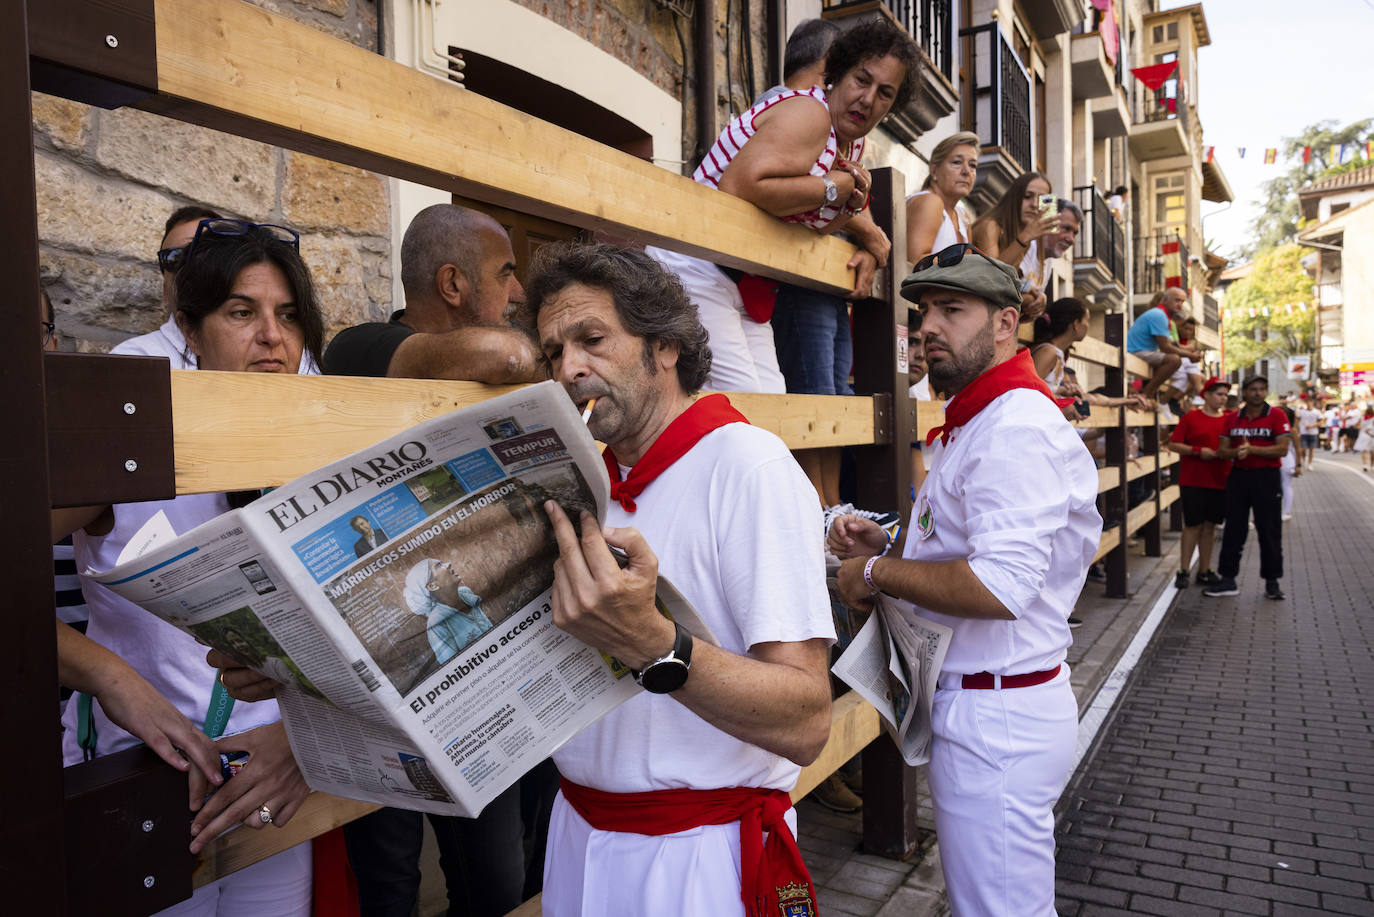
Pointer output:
1279, 222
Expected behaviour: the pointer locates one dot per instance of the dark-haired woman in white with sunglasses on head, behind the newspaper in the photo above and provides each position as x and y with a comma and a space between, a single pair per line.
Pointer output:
245, 305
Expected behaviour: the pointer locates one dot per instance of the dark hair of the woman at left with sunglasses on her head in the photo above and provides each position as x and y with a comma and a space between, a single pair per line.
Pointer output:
214, 265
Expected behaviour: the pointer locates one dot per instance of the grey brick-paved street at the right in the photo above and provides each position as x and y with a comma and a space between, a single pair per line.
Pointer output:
1239, 775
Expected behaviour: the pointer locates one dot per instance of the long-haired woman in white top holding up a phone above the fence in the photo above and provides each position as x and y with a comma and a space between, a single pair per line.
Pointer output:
1012, 232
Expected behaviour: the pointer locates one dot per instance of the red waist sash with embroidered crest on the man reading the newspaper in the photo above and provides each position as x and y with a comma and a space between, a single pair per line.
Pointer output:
773, 874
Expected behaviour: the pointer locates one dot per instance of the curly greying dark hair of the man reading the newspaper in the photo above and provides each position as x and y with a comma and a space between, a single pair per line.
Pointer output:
649, 300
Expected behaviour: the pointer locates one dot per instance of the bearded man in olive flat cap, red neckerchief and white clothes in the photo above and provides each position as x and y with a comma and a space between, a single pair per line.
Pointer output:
1000, 545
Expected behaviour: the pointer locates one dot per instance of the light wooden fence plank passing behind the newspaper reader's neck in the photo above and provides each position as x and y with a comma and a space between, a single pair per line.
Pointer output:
245, 431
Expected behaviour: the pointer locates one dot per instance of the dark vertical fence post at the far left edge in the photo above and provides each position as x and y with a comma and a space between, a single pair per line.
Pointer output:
32, 868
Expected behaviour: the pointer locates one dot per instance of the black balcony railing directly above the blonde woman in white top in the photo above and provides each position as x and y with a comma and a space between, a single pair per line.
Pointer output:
1001, 91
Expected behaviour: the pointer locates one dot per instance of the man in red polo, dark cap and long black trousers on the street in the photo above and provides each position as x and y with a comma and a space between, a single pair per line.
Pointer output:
1257, 437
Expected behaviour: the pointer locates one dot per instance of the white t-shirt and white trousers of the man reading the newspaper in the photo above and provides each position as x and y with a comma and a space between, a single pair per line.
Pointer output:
737, 529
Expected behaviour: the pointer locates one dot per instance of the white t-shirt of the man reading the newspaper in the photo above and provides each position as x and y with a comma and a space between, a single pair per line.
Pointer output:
737, 529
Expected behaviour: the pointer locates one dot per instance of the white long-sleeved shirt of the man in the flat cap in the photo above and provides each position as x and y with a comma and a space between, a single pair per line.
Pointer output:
1015, 493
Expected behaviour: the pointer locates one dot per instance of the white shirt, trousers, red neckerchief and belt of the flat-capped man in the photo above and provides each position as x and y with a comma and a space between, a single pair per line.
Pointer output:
1015, 493
